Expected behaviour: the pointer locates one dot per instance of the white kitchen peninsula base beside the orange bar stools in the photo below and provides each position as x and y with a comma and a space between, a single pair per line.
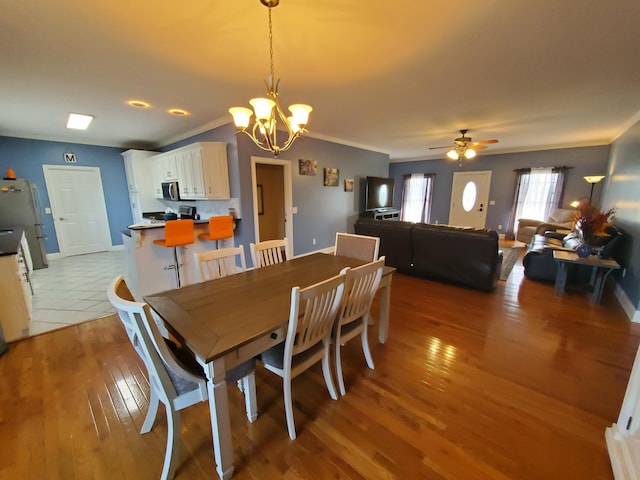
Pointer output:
150, 266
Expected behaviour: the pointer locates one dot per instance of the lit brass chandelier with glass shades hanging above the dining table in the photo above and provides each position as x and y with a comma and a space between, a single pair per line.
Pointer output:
264, 132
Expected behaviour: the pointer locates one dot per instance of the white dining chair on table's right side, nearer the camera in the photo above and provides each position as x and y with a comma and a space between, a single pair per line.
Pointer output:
311, 318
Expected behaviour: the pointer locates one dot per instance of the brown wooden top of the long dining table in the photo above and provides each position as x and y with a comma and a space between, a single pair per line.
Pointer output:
216, 317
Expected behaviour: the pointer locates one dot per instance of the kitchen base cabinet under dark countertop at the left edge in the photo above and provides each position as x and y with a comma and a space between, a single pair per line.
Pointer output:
15, 296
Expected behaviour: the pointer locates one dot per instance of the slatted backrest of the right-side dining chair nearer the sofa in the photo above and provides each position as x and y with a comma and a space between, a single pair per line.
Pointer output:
360, 286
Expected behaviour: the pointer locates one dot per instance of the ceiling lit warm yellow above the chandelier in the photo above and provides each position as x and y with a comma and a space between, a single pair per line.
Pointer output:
396, 76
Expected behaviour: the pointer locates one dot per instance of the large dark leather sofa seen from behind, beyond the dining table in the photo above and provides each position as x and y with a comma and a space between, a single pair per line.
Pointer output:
465, 256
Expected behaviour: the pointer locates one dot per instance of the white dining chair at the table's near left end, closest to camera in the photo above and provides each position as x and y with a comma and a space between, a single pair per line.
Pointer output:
175, 377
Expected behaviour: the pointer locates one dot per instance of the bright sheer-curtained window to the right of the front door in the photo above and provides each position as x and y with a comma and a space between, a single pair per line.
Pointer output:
537, 192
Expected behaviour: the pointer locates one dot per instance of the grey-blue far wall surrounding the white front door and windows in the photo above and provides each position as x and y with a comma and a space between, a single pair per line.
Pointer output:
584, 161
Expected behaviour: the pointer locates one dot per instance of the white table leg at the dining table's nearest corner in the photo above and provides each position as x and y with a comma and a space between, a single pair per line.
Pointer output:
220, 421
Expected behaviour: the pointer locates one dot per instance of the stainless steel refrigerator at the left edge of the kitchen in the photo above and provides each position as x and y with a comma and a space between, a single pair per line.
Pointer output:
20, 205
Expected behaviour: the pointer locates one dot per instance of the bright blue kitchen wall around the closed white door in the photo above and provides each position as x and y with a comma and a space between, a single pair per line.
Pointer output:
27, 157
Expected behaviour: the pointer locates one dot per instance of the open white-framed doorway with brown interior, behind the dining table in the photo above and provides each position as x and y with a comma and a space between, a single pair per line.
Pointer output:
272, 199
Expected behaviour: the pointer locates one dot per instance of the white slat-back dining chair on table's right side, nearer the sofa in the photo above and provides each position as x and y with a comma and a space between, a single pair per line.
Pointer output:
360, 286
